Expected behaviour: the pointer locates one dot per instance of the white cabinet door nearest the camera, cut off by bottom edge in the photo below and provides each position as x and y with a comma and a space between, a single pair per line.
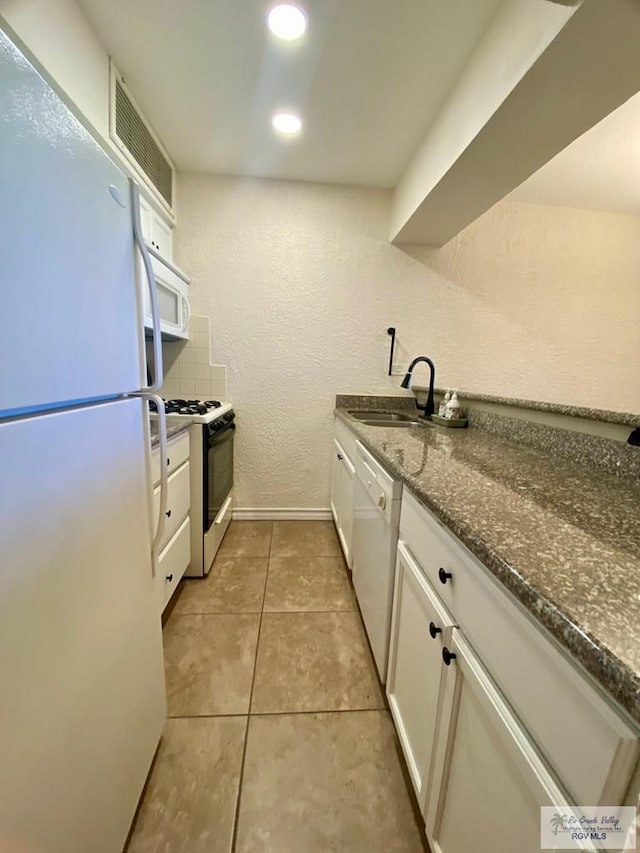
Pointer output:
488, 781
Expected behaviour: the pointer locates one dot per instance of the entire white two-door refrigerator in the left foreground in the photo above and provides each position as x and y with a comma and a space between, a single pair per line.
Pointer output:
82, 699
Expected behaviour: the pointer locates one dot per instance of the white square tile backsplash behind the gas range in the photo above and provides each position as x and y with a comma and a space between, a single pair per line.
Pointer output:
188, 372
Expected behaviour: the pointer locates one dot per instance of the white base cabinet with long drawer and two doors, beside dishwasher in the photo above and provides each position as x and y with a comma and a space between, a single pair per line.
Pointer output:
494, 719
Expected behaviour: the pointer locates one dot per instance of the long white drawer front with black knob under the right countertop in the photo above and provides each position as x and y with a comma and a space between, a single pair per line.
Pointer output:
588, 743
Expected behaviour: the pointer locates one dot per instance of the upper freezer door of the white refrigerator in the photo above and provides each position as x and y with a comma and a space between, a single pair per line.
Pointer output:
72, 325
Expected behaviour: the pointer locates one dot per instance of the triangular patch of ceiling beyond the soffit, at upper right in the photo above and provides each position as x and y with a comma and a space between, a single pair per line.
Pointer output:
599, 171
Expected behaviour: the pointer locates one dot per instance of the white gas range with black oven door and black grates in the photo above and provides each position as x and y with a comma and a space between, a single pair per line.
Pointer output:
211, 466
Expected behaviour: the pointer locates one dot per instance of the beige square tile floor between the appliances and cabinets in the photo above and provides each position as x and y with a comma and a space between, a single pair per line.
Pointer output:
278, 738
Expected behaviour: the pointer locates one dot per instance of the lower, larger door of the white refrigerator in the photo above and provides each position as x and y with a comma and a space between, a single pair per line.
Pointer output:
82, 700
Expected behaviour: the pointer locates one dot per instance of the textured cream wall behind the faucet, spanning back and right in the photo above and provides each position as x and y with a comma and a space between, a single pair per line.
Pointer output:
301, 283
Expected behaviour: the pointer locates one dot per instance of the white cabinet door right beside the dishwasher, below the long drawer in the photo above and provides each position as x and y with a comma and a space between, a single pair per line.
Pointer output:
419, 624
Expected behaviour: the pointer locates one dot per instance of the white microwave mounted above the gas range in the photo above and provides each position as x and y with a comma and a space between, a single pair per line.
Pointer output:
172, 287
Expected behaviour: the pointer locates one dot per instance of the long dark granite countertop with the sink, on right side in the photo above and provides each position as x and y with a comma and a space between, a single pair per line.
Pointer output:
564, 540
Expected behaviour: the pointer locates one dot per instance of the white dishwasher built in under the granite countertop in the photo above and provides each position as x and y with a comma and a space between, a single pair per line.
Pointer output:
375, 537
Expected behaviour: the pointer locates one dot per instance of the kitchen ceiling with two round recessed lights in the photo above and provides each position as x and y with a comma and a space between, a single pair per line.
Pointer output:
367, 78
